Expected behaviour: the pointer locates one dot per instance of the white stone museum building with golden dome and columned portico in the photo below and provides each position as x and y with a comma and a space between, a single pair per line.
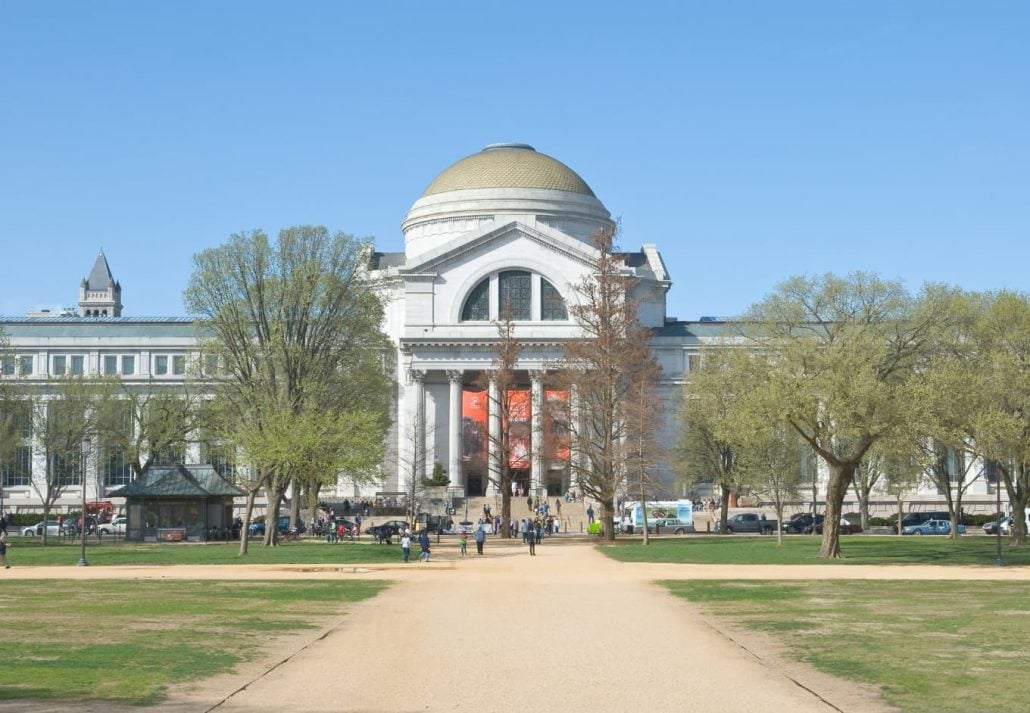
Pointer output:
506, 226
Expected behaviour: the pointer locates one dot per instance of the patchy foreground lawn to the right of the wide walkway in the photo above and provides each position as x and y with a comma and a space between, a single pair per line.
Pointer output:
930, 647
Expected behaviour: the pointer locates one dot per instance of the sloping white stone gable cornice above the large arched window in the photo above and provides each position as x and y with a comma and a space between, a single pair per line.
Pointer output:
471, 246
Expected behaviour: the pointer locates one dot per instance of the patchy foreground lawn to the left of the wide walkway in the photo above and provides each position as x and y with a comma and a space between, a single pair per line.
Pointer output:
127, 641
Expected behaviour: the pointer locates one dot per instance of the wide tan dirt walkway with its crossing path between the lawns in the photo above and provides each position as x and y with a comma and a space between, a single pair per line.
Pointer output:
557, 632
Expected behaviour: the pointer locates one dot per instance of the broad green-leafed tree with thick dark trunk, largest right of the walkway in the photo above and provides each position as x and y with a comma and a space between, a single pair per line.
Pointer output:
841, 364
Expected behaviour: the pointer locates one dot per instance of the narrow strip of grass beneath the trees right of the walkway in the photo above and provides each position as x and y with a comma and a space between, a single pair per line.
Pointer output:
859, 550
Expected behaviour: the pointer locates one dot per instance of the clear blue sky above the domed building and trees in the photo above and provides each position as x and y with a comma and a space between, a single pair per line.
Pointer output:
749, 141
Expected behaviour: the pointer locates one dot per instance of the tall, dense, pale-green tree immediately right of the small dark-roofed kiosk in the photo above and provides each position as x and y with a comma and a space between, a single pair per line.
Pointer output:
293, 326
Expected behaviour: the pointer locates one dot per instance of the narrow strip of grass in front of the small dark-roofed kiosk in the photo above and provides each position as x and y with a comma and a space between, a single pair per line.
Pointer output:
25, 552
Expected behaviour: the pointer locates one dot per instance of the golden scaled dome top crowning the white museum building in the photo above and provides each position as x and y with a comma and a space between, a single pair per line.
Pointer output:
508, 166
